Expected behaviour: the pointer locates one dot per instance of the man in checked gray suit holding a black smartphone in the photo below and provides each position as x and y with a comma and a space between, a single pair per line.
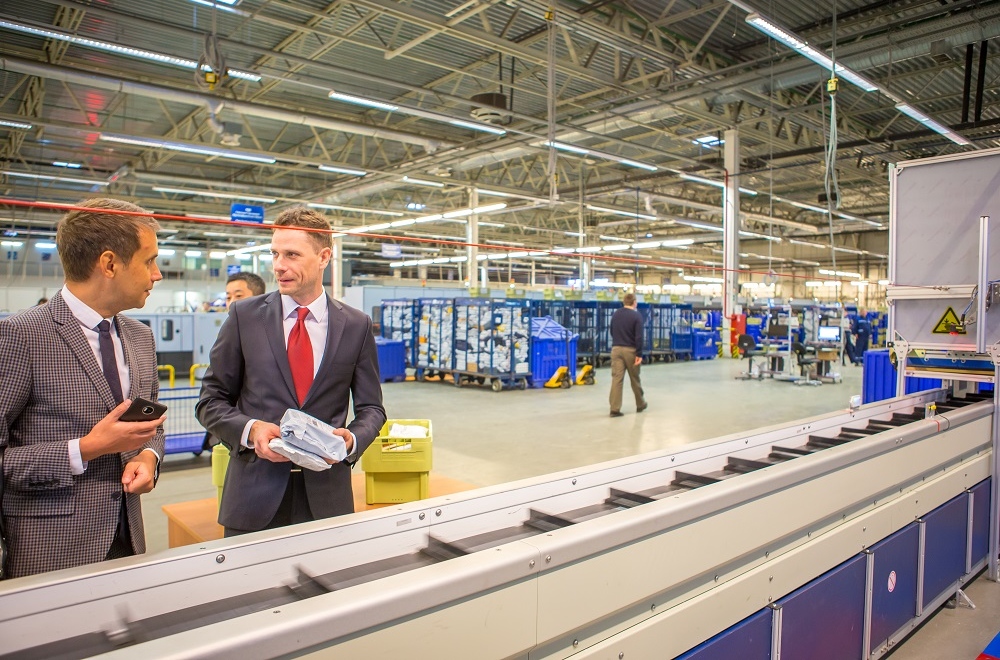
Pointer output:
73, 472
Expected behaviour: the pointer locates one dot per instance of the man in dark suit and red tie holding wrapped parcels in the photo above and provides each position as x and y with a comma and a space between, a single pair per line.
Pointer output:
293, 348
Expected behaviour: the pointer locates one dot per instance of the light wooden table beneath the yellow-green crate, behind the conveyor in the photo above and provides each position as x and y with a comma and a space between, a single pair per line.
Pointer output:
195, 521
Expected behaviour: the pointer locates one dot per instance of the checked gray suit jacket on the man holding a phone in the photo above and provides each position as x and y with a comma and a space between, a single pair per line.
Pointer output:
52, 390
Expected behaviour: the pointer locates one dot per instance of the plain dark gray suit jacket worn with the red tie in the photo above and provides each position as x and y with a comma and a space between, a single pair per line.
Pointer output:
250, 378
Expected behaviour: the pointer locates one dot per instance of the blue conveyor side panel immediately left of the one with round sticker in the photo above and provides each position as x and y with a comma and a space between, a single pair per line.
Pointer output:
824, 620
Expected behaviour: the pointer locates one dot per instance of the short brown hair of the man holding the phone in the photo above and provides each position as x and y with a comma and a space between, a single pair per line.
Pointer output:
83, 236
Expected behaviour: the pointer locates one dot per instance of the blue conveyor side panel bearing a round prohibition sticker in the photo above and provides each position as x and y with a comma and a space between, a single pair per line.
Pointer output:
894, 590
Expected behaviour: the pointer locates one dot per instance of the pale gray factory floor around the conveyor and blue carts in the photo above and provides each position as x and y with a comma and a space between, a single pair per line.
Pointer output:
485, 438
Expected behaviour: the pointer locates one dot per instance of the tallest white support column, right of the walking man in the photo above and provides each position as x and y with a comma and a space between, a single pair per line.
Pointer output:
730, 235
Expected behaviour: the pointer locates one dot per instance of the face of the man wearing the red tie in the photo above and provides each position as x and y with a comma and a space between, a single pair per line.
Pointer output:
298, 264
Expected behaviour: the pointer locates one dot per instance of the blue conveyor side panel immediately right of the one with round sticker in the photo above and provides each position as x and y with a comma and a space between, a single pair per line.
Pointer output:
944, 552
